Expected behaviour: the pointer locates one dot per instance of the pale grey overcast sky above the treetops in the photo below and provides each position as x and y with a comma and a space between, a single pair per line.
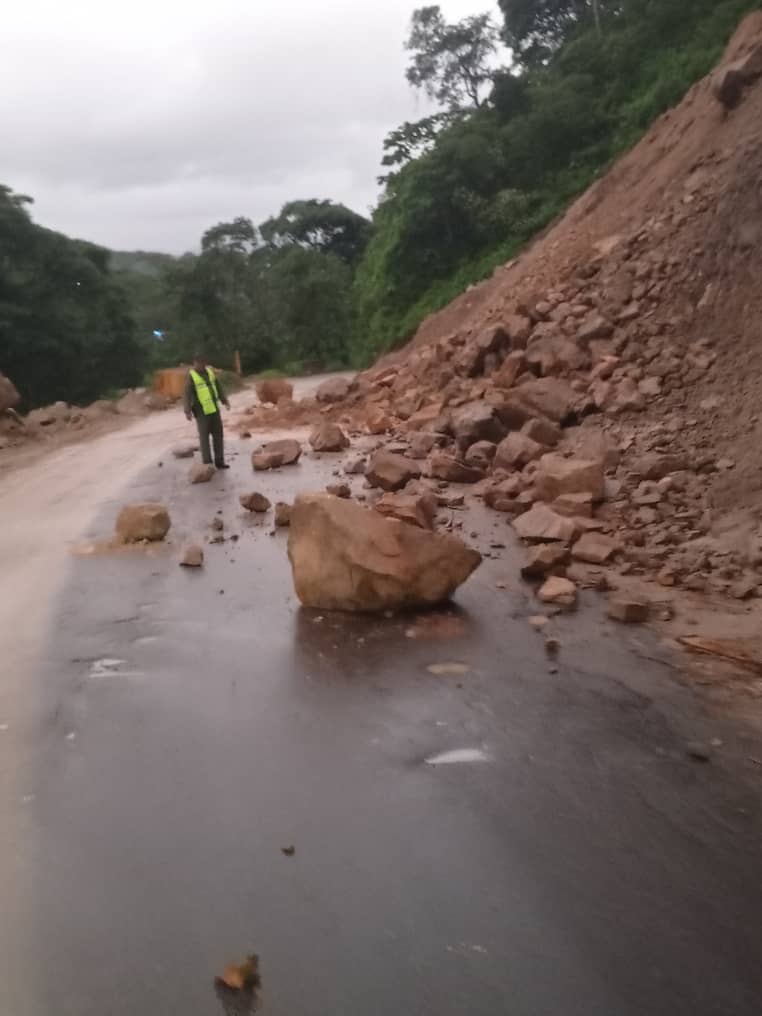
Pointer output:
140, 125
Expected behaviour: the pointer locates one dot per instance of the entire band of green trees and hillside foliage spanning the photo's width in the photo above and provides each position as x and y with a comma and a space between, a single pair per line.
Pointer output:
518, 134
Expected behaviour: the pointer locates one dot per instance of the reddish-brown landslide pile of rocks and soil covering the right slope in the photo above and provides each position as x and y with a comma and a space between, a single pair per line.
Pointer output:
605, 390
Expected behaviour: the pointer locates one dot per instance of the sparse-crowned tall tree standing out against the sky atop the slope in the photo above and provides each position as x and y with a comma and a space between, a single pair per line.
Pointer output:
452, 62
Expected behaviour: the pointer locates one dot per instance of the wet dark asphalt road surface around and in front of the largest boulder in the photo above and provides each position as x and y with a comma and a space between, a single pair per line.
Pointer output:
589, 868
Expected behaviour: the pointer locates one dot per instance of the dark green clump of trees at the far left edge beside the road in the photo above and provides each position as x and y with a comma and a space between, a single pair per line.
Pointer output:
66, 328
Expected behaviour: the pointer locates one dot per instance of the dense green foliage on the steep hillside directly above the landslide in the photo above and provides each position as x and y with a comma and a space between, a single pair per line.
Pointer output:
471, 187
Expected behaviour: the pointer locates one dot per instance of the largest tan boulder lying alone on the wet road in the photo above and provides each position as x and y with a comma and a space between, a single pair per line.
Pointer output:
346, 557
